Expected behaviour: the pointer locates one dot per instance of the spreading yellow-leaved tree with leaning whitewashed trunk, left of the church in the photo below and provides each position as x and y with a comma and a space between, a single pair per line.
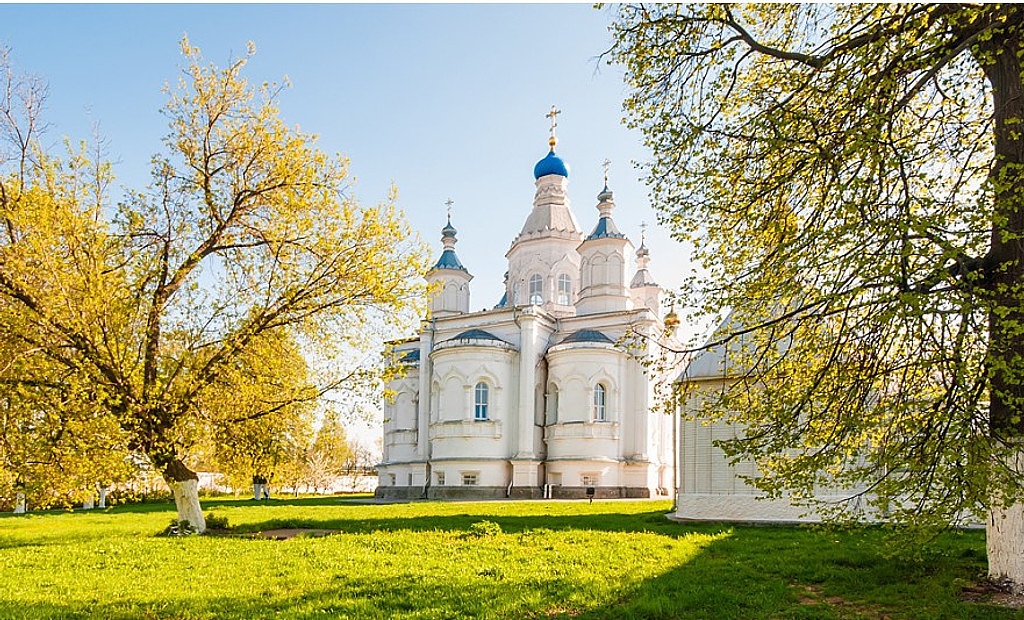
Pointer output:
246, 233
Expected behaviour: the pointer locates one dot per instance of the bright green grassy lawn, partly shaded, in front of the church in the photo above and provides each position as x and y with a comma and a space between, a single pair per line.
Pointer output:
493, 560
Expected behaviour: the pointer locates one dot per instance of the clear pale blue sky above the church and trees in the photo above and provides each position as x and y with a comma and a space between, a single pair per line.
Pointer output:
444, 101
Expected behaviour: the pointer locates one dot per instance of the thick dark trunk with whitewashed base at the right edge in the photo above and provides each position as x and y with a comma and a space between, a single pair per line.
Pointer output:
1000, 58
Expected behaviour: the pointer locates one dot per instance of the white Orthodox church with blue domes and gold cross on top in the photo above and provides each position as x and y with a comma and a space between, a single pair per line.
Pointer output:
546, 394
